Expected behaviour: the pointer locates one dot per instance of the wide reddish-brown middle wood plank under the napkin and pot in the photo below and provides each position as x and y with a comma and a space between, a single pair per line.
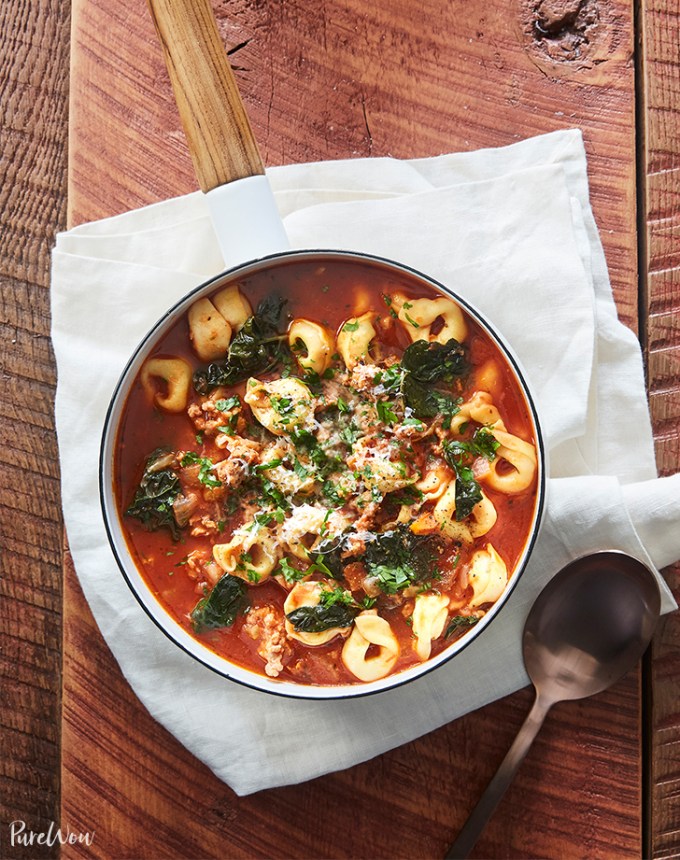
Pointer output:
344, 80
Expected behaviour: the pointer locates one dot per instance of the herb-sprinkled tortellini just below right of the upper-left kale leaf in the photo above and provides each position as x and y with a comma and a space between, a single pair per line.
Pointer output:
280, 405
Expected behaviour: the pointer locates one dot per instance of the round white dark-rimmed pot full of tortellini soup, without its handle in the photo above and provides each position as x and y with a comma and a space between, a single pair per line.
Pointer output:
322, 474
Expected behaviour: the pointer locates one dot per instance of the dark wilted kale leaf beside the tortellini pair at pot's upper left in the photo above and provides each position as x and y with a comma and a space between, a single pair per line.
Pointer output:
256, 348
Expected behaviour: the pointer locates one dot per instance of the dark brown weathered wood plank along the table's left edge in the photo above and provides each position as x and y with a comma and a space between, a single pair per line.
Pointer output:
34, 87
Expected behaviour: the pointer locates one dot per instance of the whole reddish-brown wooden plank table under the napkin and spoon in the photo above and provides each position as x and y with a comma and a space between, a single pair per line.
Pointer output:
323, 81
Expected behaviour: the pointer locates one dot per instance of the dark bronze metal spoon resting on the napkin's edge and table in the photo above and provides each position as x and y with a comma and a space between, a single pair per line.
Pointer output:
587, 628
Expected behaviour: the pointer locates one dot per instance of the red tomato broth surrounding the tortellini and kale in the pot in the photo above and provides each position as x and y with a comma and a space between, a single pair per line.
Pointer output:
328, 294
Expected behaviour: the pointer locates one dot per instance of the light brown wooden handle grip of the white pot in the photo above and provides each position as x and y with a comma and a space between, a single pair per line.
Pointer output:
215, 122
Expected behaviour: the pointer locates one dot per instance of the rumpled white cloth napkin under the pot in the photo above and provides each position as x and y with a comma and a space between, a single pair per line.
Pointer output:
511, 229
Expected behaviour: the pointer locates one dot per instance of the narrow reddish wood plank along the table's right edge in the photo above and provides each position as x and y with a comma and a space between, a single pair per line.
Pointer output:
661, 93
